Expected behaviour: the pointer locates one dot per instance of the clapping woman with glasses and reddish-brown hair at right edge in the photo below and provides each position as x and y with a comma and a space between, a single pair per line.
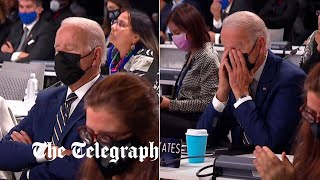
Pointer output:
306, 160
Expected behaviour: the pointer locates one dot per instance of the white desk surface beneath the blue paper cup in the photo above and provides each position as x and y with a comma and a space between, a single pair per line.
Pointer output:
187, 171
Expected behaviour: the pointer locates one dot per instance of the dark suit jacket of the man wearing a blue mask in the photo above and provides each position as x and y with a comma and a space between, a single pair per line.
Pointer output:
43, 35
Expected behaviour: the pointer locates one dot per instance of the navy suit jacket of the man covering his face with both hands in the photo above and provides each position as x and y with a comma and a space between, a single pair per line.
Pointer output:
268, 120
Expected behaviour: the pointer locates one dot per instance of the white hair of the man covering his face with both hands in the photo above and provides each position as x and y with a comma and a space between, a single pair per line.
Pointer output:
249, 22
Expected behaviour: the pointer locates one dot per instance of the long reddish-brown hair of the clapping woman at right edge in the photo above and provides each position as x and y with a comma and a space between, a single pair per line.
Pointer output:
307, 149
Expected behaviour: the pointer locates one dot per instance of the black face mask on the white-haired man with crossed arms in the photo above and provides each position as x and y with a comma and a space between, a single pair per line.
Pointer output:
67, 67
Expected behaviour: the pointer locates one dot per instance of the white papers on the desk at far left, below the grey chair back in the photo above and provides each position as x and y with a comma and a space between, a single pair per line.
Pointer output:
19, 108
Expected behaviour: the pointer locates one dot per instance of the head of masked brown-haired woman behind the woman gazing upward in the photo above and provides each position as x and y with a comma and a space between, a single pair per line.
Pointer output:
113, 10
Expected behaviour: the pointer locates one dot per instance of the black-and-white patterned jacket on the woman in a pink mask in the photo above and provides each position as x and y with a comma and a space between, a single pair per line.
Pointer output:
200, 82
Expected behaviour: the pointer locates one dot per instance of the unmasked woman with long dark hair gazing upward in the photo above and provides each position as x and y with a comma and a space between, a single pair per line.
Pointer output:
135, 46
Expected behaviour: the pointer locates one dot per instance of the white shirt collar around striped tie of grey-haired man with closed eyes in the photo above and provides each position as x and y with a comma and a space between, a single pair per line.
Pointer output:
80, 92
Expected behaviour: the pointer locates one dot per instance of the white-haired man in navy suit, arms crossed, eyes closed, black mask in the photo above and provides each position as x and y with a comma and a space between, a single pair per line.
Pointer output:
58, 112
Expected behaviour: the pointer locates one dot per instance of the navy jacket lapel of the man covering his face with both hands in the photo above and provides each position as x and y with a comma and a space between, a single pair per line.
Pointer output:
265, 81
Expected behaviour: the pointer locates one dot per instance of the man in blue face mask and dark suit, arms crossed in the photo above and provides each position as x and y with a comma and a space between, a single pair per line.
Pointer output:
31, 38
